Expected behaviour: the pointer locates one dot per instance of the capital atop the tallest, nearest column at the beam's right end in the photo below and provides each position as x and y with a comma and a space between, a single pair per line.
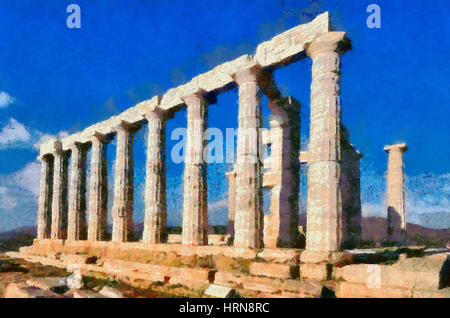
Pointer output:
328, 42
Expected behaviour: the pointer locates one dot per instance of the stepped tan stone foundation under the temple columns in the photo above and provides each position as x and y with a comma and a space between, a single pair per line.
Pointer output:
268, 273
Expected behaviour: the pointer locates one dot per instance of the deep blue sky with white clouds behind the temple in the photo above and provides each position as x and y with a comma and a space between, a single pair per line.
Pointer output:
56, 81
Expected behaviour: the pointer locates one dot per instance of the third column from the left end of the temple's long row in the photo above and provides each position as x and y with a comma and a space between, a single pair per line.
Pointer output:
77, 194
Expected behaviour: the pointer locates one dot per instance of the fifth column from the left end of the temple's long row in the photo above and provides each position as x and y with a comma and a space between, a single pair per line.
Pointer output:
122, 210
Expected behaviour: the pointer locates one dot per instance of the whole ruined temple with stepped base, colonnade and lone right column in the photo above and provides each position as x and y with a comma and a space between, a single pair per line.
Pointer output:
72, 229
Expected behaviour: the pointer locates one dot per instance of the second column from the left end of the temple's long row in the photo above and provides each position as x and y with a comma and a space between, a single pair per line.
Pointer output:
59, 201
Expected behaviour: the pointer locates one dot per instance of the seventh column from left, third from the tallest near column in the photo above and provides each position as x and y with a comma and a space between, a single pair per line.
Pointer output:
195, 206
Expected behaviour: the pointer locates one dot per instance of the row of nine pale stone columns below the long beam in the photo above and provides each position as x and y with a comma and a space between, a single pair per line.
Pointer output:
324, 208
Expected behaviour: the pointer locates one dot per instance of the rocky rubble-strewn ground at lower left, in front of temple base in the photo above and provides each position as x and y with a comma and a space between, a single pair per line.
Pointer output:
19, 278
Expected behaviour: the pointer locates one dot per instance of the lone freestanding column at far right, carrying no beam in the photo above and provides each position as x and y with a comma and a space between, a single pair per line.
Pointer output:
396, 193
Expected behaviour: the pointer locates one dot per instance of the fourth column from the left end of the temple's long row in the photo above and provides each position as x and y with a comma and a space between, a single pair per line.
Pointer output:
98, 190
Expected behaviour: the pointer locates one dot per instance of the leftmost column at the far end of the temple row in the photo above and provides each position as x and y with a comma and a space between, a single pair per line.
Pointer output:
45, 198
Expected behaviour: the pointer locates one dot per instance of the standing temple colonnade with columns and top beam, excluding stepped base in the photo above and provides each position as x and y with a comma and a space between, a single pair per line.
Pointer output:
332, 160
